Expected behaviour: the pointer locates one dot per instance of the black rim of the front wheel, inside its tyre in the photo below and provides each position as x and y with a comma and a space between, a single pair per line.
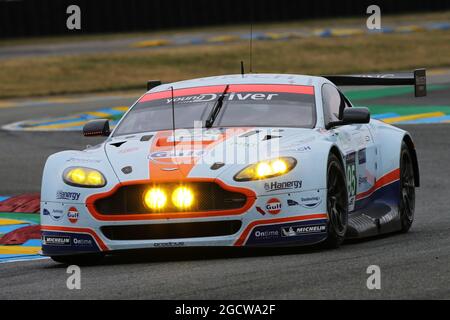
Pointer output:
337, 202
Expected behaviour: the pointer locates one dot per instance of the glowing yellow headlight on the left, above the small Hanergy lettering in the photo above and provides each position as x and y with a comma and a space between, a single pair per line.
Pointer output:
84, 177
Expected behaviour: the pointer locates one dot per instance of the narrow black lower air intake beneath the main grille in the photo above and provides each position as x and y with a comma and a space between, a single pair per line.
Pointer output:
172, 230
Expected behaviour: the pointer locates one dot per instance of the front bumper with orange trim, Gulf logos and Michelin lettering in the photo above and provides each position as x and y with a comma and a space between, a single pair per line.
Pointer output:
272, 220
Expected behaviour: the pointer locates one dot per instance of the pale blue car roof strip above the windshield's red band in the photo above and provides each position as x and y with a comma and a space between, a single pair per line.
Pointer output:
251, 78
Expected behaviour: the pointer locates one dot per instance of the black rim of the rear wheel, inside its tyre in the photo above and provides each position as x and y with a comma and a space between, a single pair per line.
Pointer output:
407, 188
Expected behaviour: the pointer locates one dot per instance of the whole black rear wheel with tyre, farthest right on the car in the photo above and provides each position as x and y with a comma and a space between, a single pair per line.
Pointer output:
407, 189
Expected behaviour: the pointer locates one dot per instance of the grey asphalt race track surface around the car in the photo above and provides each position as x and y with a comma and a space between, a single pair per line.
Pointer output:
413, 265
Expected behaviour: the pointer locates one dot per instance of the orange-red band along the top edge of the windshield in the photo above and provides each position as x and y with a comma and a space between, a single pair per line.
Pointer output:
284, 88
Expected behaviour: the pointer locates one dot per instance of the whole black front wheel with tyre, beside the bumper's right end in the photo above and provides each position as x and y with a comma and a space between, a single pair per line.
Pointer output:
337, 203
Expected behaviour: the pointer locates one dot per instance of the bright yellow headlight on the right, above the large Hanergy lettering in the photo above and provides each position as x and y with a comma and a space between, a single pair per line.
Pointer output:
266, 169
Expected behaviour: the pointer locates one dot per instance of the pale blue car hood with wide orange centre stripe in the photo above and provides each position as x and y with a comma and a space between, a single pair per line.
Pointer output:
200, 153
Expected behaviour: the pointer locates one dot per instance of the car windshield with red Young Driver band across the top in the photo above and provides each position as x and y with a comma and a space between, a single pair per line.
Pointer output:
243, 106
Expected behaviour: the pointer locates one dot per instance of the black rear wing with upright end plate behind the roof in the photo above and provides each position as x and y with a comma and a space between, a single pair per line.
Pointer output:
417, 78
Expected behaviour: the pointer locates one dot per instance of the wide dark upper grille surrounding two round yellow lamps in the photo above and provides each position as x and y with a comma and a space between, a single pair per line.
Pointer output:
208, 197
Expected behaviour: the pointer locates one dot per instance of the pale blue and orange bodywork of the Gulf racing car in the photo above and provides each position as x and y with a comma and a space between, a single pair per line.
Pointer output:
285, 210
